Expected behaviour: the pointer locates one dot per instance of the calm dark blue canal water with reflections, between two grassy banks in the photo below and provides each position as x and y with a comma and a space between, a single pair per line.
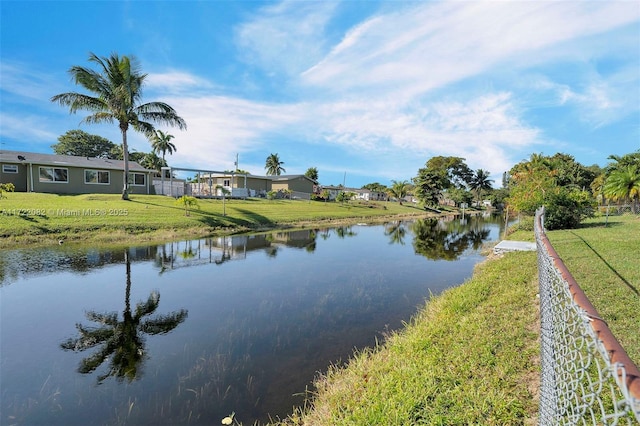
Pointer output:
190, 331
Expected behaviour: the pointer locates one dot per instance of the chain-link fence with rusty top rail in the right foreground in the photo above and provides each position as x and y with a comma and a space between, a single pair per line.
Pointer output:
587, 377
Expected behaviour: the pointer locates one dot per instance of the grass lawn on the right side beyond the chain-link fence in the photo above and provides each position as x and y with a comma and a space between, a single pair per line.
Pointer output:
605, 261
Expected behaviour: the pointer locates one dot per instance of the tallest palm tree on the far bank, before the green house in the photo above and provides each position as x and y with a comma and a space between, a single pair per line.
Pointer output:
118, 90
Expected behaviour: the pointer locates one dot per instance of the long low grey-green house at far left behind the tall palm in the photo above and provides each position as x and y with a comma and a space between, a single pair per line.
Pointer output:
66, 174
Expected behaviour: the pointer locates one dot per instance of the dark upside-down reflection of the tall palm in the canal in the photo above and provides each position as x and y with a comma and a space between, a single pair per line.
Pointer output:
122, 341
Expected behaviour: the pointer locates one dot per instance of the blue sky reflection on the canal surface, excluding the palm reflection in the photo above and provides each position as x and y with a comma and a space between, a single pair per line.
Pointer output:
278, 319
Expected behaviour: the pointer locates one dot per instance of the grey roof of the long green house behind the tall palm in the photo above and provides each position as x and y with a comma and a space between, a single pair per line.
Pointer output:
23, 157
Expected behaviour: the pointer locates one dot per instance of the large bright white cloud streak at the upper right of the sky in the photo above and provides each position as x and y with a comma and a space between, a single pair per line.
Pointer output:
434, 44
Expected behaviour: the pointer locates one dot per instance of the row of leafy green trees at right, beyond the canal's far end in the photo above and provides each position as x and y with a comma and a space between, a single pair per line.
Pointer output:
569, 190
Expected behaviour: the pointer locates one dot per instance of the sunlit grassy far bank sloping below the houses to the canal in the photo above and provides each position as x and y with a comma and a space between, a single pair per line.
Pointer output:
33, 218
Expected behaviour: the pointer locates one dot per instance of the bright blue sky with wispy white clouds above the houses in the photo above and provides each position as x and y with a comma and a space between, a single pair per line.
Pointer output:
364, 91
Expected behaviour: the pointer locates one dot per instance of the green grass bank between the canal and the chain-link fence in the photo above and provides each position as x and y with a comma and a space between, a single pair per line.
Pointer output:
469, 357
